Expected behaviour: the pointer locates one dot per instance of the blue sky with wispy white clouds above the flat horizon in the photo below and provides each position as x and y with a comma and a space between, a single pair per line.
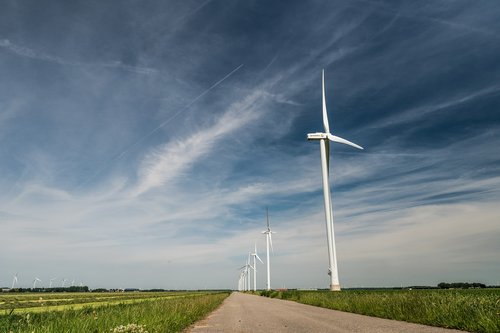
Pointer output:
142, 140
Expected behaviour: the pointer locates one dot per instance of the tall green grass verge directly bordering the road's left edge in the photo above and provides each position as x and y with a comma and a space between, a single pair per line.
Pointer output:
161, 315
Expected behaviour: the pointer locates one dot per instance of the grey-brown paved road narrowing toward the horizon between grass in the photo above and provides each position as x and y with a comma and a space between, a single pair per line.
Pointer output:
250, 313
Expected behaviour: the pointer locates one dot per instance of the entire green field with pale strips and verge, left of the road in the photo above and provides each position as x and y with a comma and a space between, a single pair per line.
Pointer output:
105, 312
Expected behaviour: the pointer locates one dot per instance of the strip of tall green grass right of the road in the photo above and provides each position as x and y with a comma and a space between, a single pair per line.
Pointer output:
475, 310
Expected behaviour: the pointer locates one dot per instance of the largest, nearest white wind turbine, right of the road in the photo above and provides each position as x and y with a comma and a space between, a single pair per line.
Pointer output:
324, 139
